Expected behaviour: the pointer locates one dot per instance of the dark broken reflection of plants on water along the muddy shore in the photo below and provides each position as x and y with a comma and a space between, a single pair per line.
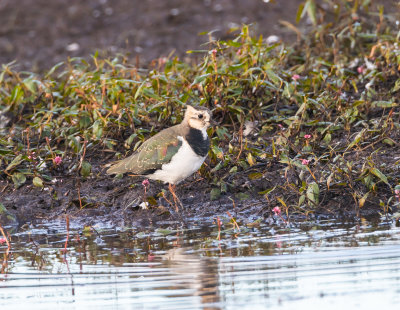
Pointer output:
45, 252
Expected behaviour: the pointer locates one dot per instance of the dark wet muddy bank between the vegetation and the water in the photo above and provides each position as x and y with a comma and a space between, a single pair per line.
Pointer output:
120, 200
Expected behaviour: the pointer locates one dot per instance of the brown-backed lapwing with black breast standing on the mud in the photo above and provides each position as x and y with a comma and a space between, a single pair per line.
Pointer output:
174, 153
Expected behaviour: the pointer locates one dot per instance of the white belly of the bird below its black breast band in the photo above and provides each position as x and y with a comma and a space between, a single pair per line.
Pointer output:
183, 164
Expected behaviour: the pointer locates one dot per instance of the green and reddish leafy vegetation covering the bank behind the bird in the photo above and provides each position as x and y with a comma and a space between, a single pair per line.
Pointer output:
301, 126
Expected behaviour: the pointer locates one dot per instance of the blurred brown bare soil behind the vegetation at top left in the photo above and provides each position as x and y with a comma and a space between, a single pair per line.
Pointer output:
39, 33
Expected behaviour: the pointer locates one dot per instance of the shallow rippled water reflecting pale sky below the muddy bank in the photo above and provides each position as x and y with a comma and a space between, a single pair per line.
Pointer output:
327, 265
